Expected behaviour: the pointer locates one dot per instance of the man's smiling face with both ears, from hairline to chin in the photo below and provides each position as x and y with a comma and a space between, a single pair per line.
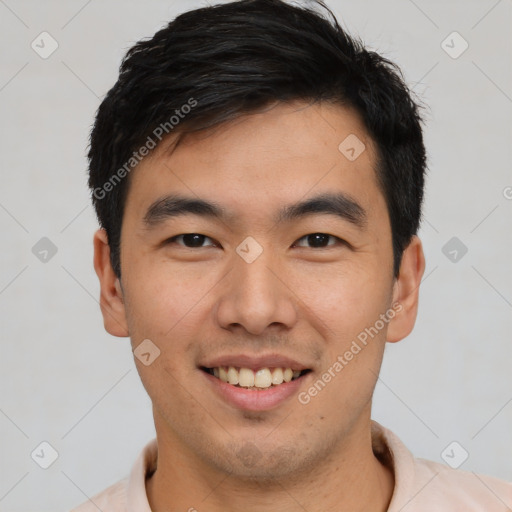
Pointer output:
256, 283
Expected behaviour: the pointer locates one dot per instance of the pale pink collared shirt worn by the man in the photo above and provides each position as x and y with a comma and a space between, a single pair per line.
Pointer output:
420, 485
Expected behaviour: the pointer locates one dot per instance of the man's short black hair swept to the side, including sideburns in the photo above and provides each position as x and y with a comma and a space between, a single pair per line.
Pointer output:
214, 64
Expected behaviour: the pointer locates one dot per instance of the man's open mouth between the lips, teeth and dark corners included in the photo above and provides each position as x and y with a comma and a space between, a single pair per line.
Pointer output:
248, 378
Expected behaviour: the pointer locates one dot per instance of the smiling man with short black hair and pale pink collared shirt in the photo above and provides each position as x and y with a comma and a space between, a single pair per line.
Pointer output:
258, 176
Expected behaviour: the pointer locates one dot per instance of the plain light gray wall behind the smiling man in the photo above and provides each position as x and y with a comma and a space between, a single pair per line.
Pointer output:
67, 382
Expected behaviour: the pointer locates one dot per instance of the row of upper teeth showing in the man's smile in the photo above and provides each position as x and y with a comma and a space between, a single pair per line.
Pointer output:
247, 378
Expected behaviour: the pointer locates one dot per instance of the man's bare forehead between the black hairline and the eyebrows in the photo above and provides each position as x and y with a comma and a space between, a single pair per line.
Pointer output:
248, 165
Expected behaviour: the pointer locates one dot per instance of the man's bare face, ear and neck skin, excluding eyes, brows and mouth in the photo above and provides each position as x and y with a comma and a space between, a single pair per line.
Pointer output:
295, 299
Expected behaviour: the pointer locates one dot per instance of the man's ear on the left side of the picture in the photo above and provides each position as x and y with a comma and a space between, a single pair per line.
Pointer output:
111, 294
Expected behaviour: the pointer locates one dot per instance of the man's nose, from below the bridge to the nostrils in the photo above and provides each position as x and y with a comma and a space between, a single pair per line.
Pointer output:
256, 297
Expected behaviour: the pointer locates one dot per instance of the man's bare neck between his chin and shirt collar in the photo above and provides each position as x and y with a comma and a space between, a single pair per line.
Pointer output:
351, 478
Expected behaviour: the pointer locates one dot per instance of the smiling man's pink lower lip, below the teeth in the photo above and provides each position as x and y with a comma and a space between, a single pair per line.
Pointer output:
255, 400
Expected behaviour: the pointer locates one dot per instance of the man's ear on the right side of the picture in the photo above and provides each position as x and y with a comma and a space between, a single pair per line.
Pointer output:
406, 291
